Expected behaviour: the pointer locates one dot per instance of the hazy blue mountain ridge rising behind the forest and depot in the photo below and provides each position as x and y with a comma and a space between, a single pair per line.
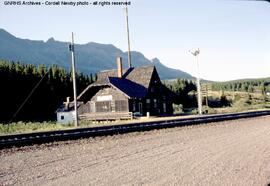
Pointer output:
91, 57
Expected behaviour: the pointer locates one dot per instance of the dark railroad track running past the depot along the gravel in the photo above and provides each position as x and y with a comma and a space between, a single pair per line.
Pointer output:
72, 134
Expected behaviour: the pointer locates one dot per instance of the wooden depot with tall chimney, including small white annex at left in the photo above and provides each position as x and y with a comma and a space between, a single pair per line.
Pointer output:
122, 94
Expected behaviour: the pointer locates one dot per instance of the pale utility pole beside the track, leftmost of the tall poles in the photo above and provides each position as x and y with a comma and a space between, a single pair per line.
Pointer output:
71, 48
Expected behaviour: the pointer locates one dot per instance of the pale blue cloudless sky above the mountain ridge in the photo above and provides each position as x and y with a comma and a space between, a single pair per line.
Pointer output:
233, 36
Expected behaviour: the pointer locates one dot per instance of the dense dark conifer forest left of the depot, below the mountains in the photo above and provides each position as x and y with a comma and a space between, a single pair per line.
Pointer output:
17, 80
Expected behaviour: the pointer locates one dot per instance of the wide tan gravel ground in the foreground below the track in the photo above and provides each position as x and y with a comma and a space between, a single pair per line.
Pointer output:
225, 153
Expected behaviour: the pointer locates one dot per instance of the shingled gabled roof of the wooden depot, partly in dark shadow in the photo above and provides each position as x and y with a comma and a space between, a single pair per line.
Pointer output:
134, 82
